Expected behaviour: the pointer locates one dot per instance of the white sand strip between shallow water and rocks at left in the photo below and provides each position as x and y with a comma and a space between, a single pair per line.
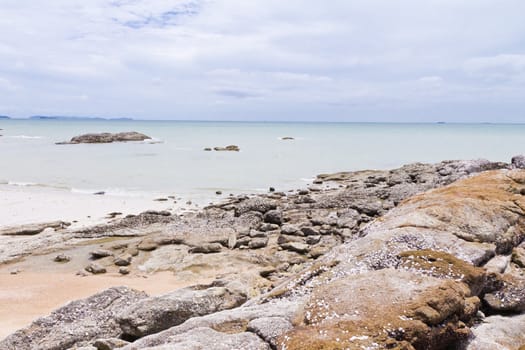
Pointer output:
28, 204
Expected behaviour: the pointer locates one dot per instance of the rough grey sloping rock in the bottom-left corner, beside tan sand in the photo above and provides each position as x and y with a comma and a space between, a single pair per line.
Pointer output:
76, 324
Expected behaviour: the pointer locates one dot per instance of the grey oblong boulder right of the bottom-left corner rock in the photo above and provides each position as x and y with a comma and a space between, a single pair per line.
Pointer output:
155, 314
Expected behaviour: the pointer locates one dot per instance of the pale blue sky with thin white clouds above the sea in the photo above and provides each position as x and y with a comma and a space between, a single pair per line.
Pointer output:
337, 60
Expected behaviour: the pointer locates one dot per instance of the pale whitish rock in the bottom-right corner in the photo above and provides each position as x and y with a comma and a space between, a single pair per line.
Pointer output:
498, 333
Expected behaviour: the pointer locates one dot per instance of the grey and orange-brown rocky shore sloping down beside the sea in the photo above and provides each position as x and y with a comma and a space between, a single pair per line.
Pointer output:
427, 256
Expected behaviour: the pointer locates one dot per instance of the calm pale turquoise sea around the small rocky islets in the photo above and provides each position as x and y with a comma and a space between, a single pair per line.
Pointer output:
176, 164
